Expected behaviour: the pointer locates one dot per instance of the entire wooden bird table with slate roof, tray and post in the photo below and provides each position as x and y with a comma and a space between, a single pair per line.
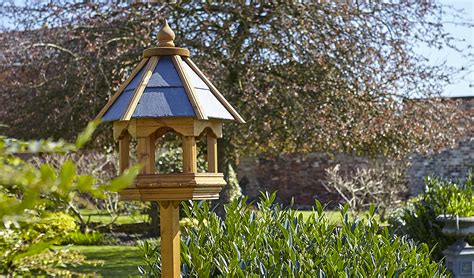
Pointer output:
167, 92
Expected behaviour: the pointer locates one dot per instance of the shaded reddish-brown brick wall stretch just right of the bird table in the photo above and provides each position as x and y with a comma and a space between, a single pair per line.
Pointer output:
294, 177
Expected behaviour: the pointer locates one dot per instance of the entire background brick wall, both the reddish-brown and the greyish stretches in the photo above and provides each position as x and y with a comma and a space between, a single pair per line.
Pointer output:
302, 177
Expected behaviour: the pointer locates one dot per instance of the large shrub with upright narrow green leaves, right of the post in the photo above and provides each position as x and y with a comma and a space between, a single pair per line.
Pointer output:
275, 242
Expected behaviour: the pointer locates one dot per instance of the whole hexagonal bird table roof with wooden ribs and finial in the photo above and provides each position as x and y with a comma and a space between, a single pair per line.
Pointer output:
166, 83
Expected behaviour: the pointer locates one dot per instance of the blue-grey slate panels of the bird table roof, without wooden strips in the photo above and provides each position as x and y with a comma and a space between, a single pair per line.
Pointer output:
165, 95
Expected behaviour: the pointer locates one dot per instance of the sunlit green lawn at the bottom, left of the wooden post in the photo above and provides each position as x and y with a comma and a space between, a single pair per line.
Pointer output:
119, 261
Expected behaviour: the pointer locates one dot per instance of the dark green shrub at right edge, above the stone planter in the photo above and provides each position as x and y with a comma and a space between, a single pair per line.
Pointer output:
418, 219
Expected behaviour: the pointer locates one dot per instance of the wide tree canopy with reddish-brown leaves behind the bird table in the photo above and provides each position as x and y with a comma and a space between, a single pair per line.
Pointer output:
335, 77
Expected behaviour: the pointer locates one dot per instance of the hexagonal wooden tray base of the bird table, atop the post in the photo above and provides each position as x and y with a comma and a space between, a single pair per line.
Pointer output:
176, 187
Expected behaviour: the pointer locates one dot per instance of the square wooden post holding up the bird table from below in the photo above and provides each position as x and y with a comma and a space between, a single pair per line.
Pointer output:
170, 239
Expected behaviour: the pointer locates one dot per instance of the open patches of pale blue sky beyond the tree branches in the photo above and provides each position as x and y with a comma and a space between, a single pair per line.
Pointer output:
463, 85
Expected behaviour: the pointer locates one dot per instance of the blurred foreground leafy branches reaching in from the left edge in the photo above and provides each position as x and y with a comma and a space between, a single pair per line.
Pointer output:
23, 186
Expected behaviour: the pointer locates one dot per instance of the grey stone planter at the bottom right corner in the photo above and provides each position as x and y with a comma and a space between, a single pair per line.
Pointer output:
460, 255
